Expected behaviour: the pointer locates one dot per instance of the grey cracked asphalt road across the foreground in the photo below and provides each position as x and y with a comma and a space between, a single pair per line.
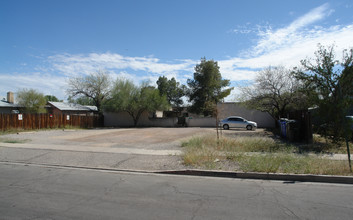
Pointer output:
39, 192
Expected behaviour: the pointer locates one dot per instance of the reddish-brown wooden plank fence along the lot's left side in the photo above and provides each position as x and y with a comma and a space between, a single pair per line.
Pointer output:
47, 121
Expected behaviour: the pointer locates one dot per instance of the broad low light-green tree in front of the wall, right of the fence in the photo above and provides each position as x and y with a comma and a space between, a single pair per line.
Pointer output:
135, 100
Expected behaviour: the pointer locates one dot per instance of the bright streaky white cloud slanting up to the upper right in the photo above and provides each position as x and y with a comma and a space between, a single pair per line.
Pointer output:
287, 46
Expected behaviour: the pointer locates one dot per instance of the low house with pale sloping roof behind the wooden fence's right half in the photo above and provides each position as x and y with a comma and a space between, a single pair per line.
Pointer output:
70, 108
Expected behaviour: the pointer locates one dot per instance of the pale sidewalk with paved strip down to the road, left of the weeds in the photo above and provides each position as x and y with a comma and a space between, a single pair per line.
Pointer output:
115, 158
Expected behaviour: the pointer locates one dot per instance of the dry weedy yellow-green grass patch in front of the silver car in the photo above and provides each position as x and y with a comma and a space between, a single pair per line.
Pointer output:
263, 154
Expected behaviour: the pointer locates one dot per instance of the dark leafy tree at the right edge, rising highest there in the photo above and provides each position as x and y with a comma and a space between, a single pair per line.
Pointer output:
329, 83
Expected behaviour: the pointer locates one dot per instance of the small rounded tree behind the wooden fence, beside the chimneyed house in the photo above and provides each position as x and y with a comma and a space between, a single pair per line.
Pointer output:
32, 101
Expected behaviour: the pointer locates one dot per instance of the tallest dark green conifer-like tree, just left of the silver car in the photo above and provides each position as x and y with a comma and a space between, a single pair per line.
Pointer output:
206, 89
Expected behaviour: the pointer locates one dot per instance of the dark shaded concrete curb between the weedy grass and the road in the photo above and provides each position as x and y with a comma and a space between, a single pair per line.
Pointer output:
265, 176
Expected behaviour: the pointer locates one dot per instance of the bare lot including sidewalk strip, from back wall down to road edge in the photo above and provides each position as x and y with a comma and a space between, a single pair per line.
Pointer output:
127, 149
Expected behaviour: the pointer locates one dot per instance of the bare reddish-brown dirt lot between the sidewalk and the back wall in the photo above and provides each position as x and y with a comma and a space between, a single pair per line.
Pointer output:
140, 138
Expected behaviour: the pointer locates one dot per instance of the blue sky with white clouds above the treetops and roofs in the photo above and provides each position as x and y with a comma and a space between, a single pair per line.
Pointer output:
43, 43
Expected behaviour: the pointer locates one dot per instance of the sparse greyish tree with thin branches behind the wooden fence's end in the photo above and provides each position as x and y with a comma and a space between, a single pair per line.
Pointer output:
95, 86
